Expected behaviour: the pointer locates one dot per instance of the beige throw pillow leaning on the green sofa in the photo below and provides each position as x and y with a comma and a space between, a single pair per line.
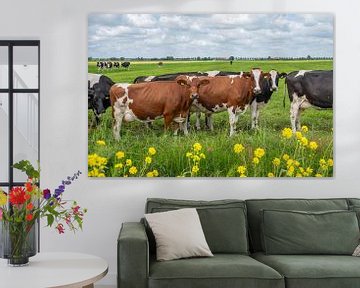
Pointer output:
178, 234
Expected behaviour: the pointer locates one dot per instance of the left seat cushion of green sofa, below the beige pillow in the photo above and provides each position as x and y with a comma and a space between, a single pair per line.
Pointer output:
222, 270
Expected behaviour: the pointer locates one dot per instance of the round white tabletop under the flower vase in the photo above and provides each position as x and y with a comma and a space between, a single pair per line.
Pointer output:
50, 270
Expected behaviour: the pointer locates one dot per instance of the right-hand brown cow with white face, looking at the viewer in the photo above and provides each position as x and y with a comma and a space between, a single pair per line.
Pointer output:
233, 93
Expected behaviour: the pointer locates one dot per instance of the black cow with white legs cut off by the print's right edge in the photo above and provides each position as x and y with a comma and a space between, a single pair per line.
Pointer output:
308, 88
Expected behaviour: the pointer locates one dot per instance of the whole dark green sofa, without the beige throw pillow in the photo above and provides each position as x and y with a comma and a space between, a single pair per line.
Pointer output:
234, 230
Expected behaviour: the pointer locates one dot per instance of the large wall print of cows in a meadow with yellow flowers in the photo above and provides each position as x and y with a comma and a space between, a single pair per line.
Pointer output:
210, 95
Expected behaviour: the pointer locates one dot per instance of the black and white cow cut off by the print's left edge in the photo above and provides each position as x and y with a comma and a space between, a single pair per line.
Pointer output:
98, 94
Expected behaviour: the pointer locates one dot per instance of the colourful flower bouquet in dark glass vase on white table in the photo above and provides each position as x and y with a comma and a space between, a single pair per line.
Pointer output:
23, 206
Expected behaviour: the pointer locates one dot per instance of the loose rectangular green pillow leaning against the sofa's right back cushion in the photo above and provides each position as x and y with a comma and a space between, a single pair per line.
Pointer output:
297, 232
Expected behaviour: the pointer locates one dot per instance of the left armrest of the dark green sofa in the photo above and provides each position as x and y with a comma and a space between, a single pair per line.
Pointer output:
133, 256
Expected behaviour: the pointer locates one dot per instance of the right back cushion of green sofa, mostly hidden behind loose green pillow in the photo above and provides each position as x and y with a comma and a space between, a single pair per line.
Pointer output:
254, 217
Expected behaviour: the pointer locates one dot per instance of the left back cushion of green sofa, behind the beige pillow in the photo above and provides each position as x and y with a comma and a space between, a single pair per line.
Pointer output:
223, 221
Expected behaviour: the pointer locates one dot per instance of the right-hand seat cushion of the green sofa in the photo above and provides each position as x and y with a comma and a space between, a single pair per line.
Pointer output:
315, 271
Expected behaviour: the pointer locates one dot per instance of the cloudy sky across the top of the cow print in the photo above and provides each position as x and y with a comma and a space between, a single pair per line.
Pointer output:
214, 35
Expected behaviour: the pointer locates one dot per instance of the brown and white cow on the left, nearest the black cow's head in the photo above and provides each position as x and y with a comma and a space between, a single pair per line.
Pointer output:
148, 101
